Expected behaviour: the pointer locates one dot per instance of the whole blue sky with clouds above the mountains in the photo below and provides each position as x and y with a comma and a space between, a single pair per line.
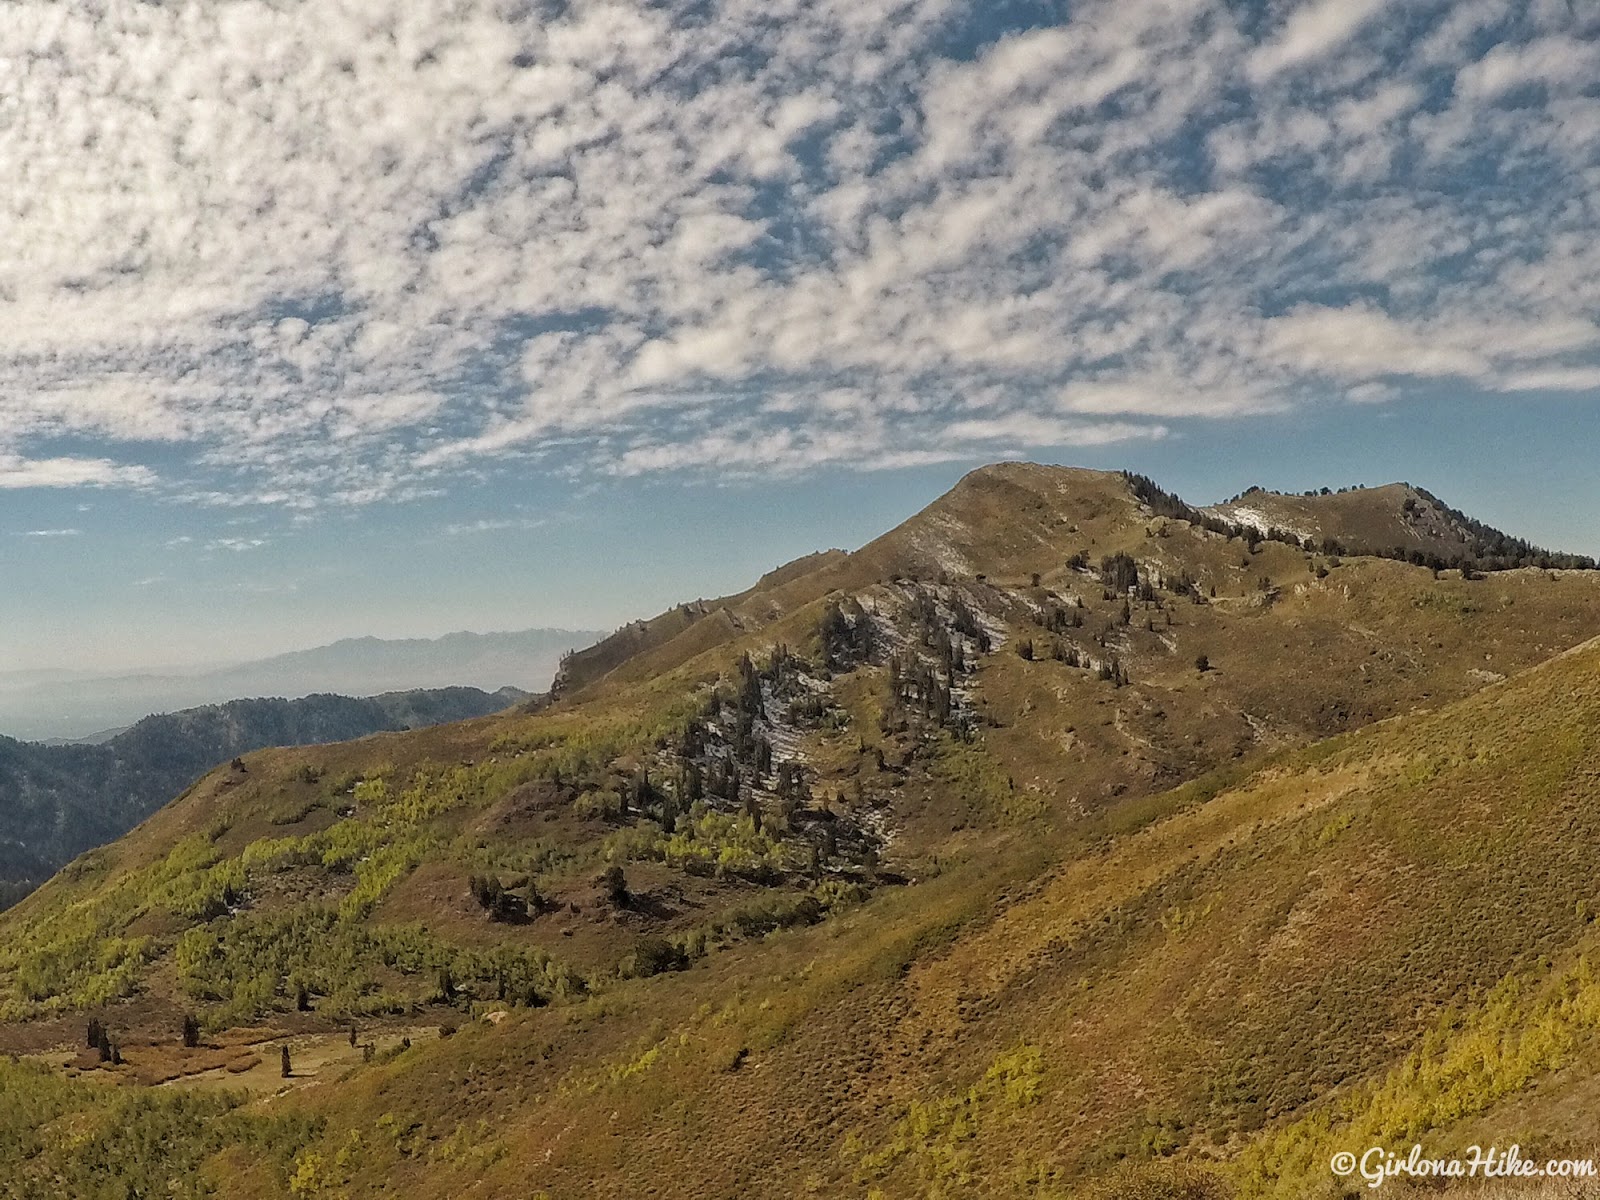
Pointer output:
335, 319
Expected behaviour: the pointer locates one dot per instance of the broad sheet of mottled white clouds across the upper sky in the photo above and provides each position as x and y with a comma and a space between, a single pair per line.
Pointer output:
321, 254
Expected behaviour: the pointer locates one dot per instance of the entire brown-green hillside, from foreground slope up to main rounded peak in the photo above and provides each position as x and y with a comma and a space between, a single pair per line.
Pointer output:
1054, 836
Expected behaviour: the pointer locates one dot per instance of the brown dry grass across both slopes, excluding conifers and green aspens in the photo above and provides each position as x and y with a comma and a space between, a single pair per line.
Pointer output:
1098, 964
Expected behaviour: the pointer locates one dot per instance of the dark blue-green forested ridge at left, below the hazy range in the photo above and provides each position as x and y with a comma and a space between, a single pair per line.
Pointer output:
60, 801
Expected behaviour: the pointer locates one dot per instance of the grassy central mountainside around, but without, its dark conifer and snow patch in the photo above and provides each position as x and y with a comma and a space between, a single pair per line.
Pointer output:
1300, 647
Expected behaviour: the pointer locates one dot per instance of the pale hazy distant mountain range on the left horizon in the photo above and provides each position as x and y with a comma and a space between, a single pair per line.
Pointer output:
68, 706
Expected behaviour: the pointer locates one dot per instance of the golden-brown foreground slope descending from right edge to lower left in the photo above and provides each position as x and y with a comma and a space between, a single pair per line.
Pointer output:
1383, 934
